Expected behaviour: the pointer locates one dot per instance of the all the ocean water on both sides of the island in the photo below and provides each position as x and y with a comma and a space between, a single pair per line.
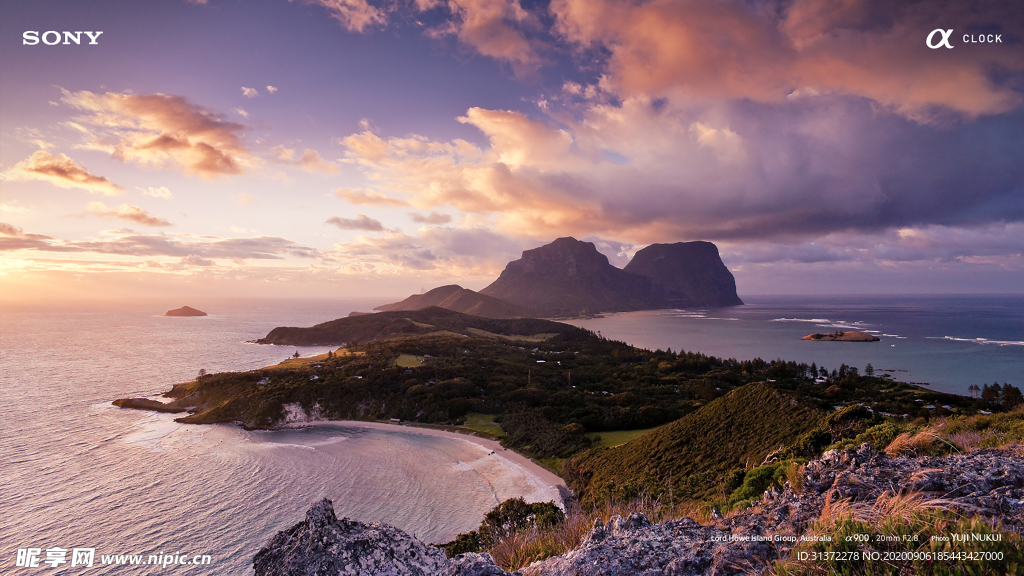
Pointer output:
78, 473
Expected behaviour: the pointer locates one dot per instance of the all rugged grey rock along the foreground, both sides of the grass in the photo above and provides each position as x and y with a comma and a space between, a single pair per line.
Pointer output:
988, 483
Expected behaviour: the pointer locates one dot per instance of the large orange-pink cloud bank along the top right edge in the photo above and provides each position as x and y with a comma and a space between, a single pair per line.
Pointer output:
700, 50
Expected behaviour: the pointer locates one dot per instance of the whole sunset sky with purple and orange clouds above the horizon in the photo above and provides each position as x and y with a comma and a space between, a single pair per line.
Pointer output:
382, 148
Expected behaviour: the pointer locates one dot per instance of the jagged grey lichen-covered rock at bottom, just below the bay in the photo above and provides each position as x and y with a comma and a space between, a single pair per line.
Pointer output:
323, 545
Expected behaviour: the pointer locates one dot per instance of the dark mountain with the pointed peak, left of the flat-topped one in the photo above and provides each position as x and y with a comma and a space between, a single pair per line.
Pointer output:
569, 277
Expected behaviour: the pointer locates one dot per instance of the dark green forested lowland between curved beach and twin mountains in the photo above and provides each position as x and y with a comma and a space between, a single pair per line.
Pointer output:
549, 389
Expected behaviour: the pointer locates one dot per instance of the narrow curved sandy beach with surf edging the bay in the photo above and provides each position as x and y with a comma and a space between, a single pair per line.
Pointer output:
542, 479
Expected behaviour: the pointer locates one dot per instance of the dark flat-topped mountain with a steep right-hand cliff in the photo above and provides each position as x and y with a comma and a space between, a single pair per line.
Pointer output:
687, 274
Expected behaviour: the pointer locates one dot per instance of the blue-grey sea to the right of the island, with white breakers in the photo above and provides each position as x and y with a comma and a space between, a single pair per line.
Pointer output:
950, 343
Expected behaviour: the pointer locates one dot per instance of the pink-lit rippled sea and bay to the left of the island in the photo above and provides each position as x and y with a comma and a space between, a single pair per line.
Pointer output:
78, 473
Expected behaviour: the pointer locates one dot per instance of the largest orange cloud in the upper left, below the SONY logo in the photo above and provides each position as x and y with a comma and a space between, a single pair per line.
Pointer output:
161, 131
